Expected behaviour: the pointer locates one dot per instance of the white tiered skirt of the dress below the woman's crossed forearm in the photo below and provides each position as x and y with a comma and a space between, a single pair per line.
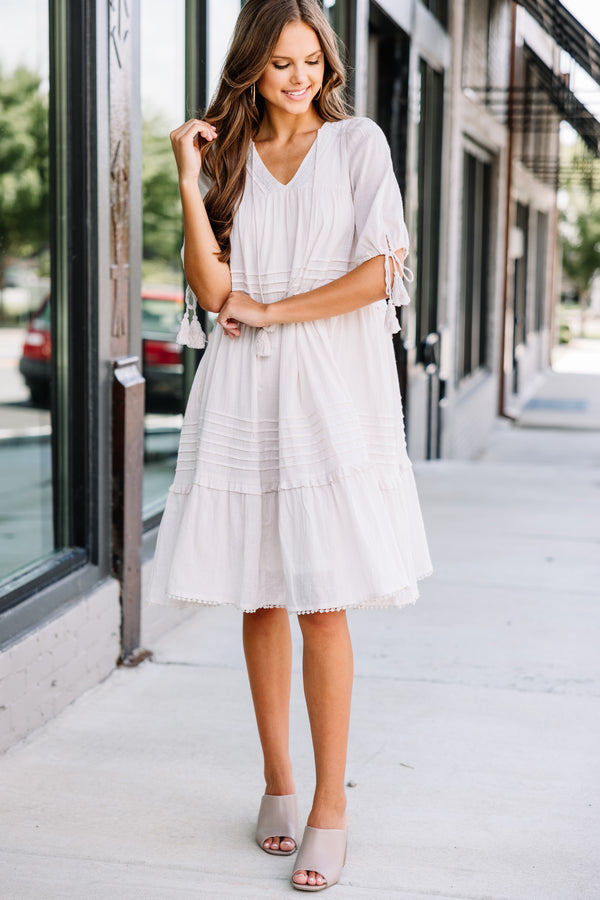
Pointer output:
293, 487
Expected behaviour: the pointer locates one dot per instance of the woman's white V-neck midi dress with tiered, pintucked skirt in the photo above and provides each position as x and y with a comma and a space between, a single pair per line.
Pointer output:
293, 487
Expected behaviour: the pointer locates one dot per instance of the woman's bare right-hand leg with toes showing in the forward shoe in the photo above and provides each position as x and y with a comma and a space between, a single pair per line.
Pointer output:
328, 671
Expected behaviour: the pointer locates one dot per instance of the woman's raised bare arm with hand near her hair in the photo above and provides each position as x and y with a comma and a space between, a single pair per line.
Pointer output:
208, 277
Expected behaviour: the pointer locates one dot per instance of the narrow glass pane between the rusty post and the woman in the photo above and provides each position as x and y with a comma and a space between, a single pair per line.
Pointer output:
163, 108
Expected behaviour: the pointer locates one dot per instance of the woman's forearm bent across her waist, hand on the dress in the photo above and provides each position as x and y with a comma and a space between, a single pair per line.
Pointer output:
363, 285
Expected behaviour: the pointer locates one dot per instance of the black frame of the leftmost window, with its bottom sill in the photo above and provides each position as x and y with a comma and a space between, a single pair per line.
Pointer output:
75, 420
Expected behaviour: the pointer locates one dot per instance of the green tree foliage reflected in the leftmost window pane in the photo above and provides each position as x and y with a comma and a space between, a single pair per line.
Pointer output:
24, 192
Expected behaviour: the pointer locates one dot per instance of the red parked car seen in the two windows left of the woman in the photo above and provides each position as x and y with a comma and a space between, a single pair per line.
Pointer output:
162, 357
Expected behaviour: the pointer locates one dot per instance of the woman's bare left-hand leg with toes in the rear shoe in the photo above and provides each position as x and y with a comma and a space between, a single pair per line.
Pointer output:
268, 651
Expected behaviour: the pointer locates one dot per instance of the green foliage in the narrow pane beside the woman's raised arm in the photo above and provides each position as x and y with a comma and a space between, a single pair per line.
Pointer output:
161, 205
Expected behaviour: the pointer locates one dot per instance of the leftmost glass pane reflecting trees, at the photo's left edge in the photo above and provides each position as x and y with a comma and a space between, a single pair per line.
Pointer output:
26, 521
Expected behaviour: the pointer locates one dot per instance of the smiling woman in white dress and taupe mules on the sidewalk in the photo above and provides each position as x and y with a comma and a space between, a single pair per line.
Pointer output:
293, 490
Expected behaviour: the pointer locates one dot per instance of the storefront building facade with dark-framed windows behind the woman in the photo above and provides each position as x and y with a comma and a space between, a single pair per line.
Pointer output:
470, 95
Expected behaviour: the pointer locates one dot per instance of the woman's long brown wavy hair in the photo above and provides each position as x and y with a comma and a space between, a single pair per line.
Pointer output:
236, 110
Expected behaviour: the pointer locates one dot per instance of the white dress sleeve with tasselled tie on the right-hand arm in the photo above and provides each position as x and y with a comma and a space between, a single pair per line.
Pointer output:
379, 227
